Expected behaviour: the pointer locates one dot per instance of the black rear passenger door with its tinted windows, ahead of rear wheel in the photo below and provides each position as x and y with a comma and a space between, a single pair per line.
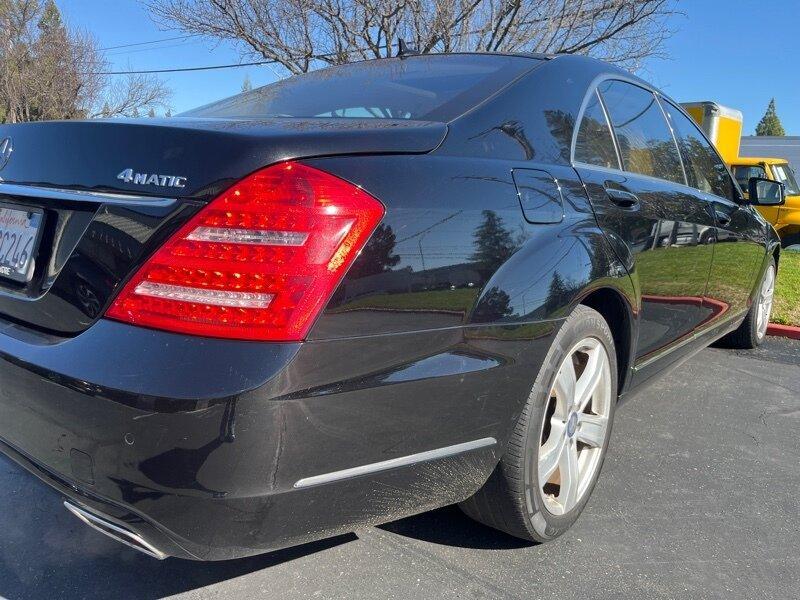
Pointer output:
659, 226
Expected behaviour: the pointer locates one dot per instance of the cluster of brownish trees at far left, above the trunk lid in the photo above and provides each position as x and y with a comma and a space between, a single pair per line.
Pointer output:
49, 71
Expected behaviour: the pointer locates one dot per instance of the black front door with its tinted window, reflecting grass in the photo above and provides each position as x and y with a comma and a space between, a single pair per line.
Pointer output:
739, 229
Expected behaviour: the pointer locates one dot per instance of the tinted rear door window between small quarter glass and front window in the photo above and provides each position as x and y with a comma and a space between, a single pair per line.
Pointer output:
645, 142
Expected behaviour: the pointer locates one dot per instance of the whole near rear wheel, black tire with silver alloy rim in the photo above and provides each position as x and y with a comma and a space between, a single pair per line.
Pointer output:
557, 449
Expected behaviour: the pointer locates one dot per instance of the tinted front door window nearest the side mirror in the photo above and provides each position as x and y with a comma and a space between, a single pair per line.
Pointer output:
704, 168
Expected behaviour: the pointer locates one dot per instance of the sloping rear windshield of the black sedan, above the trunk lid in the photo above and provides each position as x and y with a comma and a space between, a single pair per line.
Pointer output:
426, 88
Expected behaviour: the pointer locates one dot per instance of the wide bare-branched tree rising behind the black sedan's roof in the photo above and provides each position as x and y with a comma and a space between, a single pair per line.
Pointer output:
302, 34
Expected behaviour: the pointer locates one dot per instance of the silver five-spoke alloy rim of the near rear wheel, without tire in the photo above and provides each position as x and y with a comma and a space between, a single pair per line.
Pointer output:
575, 426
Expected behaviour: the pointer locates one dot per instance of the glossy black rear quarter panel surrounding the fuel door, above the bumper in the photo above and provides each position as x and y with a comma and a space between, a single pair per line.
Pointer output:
454, 249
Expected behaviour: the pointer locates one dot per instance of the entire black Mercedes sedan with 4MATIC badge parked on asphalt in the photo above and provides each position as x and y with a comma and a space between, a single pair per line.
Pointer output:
359, 294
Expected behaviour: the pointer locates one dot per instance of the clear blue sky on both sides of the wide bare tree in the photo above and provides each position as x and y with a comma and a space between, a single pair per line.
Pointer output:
740, 53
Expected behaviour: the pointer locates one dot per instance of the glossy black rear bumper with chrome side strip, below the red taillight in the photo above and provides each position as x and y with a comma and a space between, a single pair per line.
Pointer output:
210, 449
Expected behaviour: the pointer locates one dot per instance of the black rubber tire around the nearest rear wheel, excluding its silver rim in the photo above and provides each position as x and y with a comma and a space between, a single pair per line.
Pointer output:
510, 499
